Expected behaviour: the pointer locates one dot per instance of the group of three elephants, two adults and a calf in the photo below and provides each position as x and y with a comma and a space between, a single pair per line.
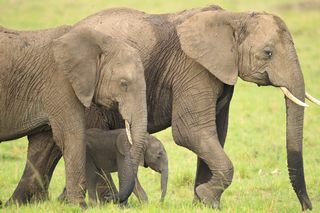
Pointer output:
92, 92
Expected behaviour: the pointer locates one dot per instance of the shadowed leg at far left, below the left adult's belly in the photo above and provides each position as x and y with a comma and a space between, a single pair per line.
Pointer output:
43, 156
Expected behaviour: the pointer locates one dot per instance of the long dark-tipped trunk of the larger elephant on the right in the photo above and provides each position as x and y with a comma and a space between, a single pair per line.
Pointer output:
294, 139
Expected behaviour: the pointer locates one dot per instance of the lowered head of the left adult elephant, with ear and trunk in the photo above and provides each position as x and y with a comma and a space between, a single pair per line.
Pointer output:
107, 71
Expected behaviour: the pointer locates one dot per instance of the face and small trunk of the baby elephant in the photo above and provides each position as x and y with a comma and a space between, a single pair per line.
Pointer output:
156, 158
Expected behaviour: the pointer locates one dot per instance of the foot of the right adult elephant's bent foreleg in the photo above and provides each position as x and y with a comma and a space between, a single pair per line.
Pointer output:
206, 195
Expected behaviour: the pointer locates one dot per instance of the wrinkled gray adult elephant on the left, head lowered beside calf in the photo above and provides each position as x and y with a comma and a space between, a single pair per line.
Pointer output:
48, 77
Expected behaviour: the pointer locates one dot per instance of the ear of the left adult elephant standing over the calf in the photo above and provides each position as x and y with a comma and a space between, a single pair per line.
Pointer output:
77, 54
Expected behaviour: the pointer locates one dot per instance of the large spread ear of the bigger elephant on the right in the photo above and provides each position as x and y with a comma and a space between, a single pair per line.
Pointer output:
207, 37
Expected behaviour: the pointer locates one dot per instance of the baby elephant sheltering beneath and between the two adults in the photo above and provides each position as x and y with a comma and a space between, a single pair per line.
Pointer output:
109, 151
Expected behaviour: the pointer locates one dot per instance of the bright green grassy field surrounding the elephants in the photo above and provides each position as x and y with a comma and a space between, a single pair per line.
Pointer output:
256, 138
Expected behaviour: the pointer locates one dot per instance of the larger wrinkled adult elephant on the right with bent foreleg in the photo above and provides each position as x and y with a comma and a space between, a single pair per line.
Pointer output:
192, 60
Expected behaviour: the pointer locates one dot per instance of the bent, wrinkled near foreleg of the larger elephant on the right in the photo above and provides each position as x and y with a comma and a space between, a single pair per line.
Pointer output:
194, 127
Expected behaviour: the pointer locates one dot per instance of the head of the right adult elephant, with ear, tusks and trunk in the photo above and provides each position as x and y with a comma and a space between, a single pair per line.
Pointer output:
258, 48
